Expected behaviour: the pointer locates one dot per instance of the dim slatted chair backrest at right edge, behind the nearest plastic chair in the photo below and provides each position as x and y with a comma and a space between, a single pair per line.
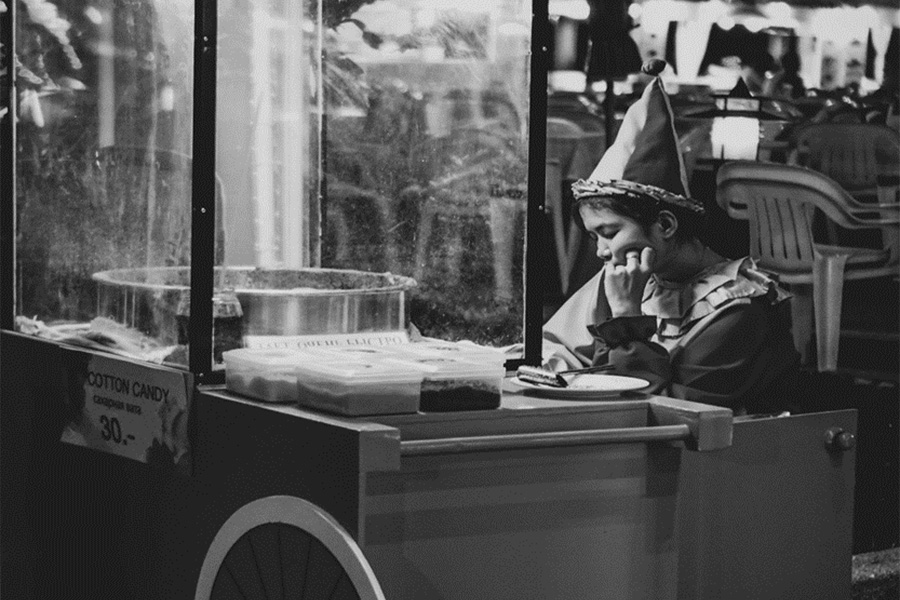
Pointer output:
852, 154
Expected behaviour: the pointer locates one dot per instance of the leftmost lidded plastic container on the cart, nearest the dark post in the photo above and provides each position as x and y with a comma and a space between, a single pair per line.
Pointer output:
267, 375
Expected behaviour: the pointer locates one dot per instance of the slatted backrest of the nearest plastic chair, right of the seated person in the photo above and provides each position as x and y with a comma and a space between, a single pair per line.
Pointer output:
779, 202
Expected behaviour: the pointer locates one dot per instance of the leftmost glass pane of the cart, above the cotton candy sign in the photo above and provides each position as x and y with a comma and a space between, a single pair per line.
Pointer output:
104, 171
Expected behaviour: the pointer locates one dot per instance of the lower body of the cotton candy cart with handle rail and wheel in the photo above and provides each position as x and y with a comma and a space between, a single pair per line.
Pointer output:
627, 498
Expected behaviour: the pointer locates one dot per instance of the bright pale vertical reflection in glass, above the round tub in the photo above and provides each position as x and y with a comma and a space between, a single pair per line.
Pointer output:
267, 134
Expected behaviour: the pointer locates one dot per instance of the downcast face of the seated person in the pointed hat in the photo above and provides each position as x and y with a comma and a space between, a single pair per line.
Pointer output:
615, 234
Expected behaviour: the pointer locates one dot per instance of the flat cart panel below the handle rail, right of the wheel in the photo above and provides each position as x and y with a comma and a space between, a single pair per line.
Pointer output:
527, 524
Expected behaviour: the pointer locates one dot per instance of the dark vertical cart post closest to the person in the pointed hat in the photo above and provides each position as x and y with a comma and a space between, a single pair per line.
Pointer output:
536, 235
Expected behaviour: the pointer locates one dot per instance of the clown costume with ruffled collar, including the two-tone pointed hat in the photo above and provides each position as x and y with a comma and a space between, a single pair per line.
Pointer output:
721, 337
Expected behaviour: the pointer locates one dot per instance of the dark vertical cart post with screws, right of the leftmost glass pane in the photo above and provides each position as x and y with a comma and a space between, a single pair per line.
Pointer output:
203, 194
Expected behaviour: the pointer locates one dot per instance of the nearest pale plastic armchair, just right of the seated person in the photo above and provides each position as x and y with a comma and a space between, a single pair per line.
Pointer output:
779, 202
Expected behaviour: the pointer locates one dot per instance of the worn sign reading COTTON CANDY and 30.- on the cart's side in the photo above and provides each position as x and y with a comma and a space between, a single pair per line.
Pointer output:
127, 408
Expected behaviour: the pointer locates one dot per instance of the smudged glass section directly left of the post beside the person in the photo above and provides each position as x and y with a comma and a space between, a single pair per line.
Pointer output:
425, 156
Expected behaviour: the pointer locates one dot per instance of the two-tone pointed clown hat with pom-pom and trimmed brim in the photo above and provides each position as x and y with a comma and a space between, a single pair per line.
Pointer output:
645, 158
